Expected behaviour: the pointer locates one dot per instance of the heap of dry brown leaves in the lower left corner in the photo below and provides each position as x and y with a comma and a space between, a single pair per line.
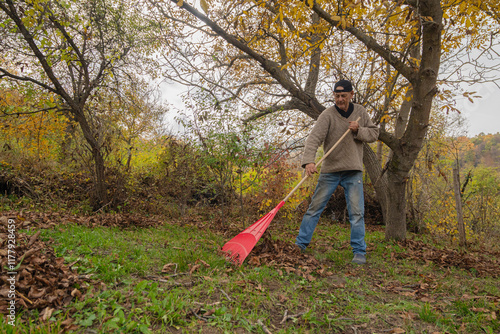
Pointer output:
41, 279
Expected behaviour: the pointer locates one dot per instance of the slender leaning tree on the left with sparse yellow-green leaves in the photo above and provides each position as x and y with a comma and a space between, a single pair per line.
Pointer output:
70, 49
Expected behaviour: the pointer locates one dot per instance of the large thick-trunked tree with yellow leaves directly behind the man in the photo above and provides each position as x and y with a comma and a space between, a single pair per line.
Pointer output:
292, 45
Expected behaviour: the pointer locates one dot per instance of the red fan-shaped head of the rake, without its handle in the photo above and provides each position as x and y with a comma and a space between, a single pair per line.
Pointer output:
237, 249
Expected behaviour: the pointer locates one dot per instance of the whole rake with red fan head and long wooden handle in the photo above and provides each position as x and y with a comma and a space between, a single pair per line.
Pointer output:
237, 249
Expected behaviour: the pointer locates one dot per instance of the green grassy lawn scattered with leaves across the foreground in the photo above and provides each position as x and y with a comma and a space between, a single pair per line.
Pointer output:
171, 279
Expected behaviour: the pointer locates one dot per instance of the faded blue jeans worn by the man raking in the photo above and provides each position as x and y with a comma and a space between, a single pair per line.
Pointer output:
352, 182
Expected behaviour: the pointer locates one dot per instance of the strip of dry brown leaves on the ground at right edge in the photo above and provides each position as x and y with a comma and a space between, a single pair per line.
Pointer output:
483, 265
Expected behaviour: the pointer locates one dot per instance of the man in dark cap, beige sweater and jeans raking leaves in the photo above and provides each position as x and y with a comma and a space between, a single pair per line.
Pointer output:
343, 166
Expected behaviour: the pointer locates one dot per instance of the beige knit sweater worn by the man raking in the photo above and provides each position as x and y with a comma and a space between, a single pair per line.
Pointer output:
329, 127
